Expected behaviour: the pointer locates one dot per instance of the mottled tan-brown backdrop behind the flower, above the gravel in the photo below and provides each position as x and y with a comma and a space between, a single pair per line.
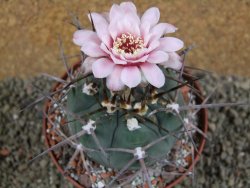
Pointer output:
29, 32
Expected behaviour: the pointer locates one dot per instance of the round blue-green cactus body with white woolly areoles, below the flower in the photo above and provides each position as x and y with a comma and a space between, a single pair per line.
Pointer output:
112, 125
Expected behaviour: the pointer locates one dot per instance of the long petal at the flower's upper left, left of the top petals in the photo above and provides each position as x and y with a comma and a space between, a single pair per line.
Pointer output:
101, 26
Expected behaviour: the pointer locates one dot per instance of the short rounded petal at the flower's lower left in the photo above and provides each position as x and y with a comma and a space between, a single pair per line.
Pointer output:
102, 67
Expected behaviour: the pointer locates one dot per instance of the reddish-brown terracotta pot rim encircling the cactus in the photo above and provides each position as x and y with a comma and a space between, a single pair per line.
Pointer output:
203, 125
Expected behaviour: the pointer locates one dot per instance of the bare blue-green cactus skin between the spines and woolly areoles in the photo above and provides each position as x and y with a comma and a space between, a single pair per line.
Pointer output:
112, 132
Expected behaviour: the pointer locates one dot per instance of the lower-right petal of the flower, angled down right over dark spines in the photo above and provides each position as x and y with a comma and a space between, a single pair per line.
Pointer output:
153, 74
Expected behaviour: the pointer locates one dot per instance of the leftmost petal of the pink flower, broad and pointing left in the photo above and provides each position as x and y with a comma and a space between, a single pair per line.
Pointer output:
82, 37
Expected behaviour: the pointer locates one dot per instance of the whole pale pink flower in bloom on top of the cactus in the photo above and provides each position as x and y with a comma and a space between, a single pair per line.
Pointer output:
127, 49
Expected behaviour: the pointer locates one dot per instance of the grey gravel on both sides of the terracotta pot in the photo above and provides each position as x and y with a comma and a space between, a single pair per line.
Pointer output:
225, 161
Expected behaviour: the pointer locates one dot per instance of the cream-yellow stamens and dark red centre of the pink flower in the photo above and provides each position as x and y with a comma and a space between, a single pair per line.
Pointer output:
128, 44
